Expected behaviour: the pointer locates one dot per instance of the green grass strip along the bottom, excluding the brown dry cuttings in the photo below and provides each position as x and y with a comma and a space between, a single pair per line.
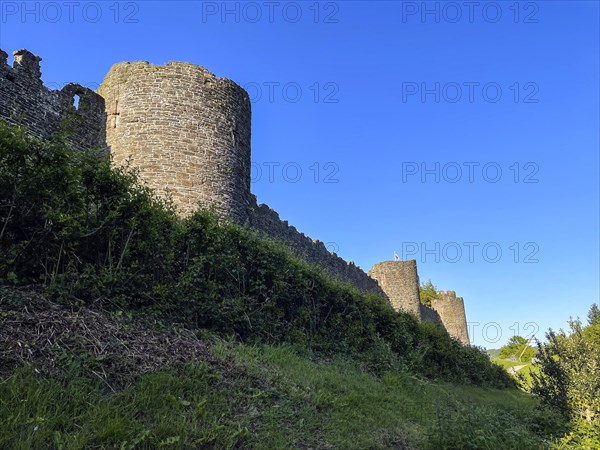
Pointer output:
275, 398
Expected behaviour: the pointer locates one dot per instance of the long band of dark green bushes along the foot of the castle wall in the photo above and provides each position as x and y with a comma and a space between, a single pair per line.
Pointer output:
90, 232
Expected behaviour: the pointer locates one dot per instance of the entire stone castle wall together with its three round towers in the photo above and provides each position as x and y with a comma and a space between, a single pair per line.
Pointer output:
188, 134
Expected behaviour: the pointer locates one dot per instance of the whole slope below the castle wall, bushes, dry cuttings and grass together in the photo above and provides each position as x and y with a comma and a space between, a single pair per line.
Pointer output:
124, 326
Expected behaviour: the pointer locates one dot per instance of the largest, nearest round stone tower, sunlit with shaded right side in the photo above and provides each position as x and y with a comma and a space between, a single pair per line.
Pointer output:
187, 132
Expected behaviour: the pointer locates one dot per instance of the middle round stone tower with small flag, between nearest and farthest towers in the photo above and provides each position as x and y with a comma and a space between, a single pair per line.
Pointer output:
400, 282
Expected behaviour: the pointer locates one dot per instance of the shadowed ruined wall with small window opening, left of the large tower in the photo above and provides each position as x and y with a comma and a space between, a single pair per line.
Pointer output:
24, 100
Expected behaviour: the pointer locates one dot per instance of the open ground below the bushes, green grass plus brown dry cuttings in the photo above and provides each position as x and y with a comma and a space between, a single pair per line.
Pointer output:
110, 381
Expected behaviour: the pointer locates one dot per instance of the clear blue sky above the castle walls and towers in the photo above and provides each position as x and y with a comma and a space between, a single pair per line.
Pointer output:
364, 113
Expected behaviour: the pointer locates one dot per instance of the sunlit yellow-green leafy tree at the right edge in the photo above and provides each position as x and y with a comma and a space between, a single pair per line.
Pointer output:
569, 371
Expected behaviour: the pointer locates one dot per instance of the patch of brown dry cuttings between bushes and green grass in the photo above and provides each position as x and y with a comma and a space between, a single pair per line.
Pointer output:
116, 349
